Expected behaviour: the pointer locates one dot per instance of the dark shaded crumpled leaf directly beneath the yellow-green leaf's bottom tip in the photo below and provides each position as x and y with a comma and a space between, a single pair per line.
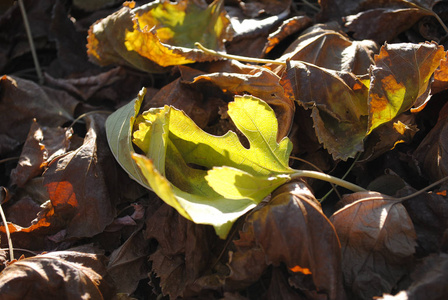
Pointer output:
184, 251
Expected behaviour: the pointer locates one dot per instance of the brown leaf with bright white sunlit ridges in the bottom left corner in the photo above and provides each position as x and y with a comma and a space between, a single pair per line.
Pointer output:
57, 275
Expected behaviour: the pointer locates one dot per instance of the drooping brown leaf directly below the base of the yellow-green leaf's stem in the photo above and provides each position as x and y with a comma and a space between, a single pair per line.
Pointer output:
310, 241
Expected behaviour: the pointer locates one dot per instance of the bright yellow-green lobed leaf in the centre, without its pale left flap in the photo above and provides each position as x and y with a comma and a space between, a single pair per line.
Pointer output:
180, 160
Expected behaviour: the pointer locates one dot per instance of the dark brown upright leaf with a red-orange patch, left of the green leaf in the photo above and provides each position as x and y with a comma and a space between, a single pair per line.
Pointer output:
77, 183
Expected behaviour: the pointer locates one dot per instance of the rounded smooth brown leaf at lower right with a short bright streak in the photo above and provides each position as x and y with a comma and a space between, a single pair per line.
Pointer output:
378, 242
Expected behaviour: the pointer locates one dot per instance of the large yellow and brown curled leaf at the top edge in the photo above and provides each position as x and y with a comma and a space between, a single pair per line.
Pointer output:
159, 34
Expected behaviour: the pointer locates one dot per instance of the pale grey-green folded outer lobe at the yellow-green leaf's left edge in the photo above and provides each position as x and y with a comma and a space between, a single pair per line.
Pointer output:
119, 132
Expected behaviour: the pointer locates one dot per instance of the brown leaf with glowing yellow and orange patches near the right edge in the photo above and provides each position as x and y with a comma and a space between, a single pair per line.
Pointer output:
400, 79
